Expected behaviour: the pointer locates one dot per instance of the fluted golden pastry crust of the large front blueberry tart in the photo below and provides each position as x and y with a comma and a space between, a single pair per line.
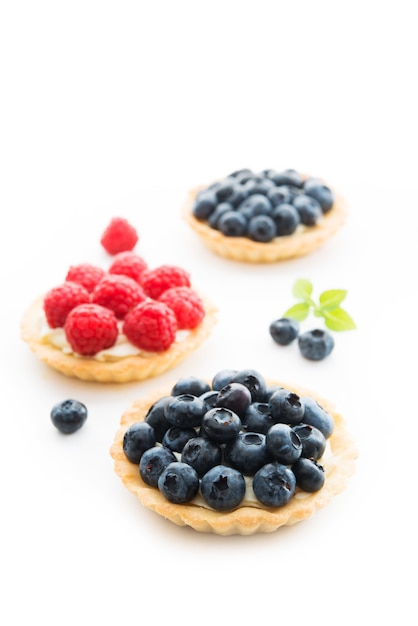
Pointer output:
246, 520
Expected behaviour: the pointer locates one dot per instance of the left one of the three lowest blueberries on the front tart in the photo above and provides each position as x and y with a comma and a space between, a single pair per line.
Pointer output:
179, 482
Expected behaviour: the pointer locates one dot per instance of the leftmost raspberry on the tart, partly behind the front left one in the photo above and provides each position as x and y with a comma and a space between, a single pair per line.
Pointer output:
60, 300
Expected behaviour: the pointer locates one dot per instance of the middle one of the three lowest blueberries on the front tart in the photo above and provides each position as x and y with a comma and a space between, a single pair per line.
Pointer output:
223, 488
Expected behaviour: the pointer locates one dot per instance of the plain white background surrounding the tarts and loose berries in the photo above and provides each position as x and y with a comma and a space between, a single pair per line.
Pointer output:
118, 108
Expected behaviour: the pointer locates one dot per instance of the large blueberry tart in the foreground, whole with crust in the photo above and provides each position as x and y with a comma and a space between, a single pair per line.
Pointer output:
235, 455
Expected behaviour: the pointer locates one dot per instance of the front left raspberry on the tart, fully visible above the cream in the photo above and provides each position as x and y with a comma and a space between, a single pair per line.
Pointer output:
90, 328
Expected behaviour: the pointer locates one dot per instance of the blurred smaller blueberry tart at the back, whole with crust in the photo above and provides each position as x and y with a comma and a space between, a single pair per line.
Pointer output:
264, 217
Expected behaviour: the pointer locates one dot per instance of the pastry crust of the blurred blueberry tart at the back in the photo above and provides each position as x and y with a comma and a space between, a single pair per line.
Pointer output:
302, 242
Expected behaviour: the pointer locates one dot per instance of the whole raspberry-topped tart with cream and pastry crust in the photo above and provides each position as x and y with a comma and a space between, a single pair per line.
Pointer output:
126, 324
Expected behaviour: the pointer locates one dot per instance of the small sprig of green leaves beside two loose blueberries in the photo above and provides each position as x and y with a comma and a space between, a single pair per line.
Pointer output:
328, 306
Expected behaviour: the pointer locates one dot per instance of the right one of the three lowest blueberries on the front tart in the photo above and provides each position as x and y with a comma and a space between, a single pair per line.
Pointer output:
274, 484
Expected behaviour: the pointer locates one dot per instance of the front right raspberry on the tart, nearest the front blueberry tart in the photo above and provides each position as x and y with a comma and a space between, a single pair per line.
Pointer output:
151, 326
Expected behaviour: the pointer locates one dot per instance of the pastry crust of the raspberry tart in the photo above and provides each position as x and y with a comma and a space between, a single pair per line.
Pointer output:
123, 370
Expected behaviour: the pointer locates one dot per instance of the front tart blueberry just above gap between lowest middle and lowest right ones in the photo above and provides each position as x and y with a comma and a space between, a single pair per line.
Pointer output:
247, 452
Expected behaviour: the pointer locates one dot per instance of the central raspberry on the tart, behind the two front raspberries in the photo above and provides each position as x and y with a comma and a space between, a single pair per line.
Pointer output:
118, 293
